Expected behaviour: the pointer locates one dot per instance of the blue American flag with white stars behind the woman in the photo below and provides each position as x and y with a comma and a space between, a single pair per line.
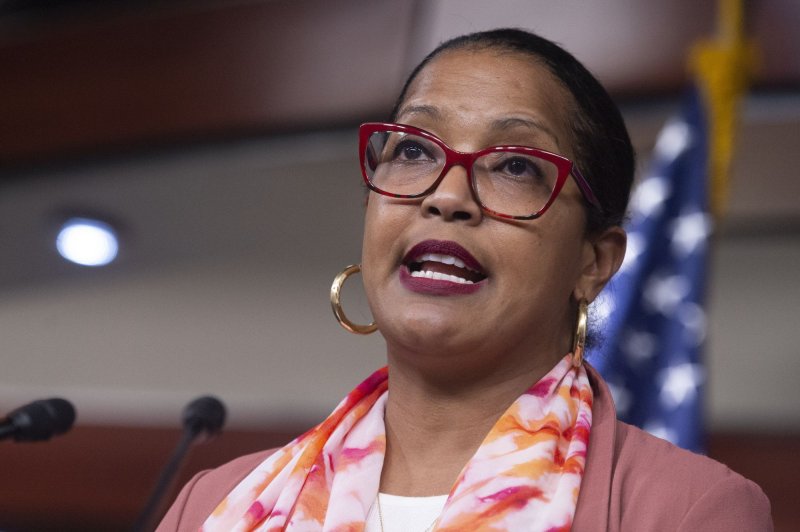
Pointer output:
651, 315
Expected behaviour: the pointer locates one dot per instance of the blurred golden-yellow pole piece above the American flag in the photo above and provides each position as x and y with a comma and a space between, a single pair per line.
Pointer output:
722, 68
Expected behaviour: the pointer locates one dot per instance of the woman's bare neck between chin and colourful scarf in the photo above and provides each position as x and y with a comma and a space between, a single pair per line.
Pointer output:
436, 420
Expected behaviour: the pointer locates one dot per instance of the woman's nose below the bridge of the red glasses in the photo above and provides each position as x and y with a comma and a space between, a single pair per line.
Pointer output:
453, 198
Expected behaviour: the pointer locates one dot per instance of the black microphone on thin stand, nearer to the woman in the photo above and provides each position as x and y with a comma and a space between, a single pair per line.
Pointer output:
204, 417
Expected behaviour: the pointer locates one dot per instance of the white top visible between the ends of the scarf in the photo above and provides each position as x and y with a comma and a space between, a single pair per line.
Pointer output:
405, 514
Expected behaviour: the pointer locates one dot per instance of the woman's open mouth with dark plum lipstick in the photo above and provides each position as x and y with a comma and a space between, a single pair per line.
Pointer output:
443, 261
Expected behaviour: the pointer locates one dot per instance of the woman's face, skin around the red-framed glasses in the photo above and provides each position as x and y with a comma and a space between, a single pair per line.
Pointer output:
521, 311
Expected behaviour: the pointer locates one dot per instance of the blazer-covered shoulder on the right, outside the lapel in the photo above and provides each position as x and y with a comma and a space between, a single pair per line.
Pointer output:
658, 483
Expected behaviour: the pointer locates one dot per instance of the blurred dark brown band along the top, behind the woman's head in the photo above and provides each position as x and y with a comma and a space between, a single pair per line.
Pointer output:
86, 77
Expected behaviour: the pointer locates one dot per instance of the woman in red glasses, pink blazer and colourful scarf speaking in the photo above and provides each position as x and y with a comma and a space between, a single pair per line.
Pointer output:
478, 263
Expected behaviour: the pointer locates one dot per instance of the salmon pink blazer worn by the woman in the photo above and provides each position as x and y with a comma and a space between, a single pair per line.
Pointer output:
633, 482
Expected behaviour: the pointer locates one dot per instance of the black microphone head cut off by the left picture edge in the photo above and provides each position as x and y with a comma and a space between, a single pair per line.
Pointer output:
39, 420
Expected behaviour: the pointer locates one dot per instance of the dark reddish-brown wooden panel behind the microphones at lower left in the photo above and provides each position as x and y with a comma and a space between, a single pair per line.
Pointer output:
99, 478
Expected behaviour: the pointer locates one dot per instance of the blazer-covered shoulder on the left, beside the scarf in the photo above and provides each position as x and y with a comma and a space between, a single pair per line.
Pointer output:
200, 496
